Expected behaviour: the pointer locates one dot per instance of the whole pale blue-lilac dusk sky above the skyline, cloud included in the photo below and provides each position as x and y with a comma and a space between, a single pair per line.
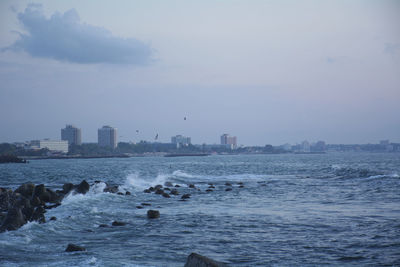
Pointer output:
268, 72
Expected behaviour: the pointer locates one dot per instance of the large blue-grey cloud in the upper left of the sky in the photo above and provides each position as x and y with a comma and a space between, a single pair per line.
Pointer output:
63, 37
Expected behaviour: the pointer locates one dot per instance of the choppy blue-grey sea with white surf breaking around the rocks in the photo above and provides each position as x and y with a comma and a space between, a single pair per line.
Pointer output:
340, 209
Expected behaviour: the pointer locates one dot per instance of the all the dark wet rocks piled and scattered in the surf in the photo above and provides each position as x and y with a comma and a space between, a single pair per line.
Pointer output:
29, 202
